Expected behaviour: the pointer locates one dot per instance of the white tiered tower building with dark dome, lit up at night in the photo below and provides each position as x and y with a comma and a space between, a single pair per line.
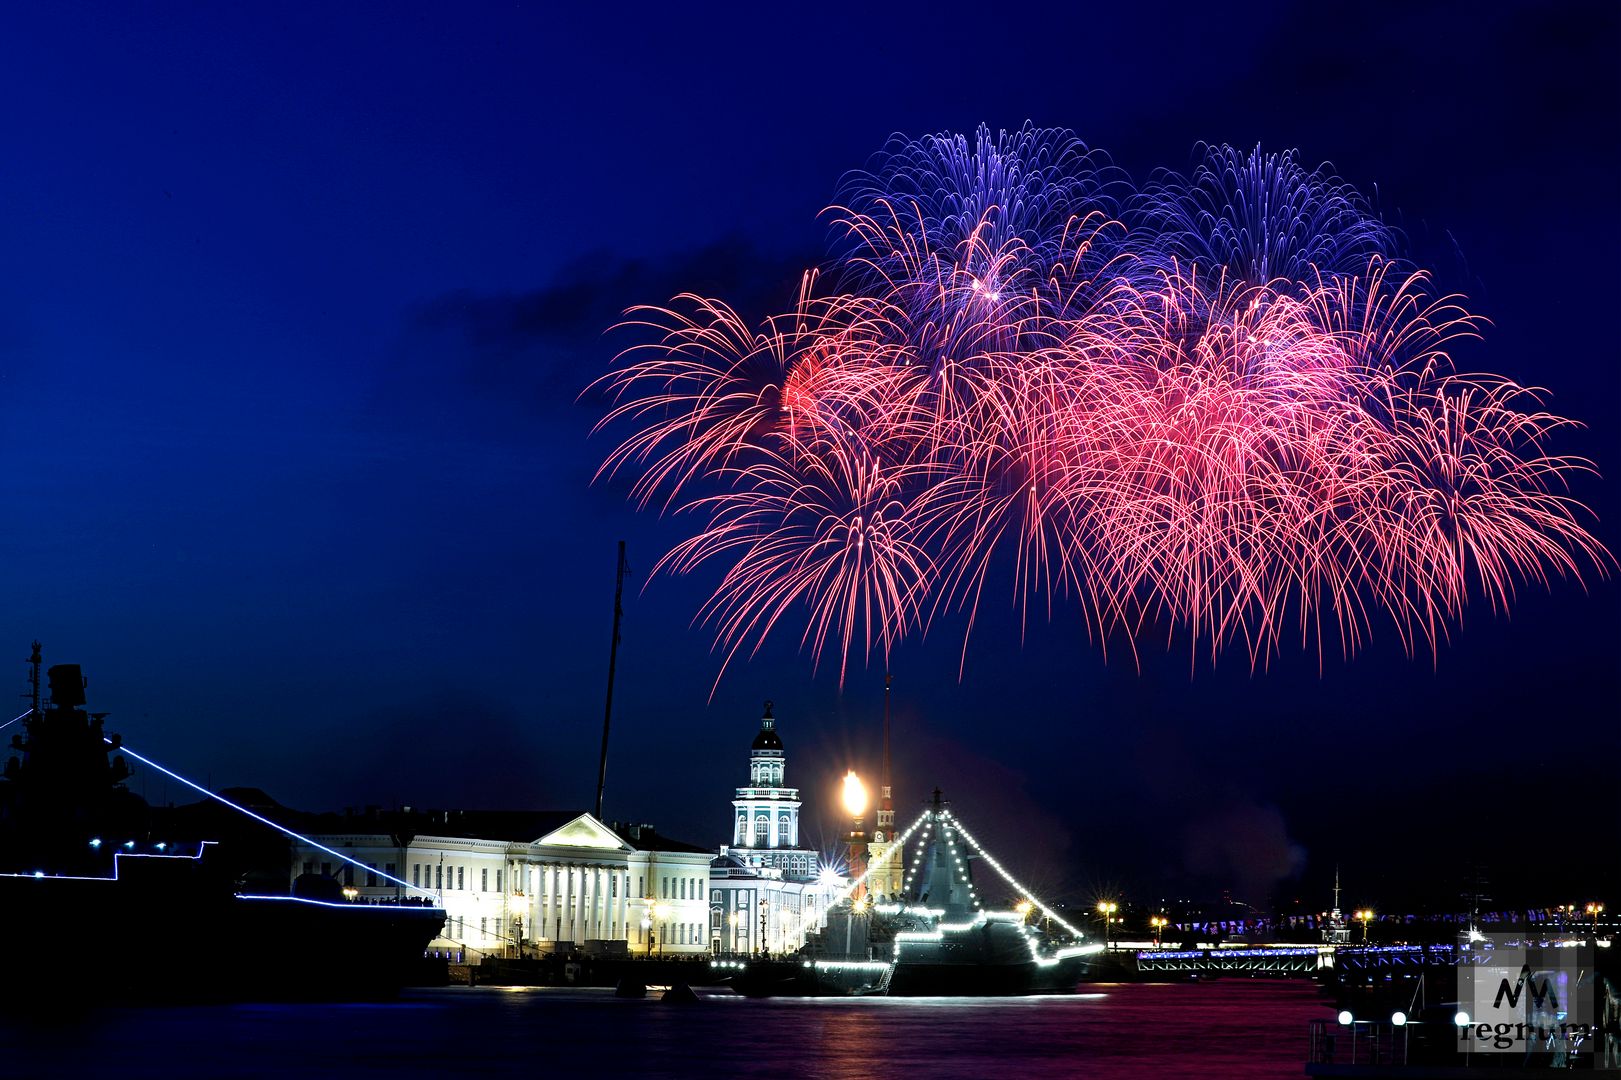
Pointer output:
766, 891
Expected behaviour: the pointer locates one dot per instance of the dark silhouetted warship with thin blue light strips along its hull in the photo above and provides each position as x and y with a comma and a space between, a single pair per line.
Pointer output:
127, 907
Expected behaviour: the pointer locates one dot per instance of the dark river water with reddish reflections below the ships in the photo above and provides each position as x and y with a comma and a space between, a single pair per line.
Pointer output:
1225, 1029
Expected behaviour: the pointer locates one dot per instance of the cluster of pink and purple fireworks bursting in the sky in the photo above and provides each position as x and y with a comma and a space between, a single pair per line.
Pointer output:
1220, 406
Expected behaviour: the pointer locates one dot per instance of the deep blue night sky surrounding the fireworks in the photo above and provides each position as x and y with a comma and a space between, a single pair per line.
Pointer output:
296, 311
